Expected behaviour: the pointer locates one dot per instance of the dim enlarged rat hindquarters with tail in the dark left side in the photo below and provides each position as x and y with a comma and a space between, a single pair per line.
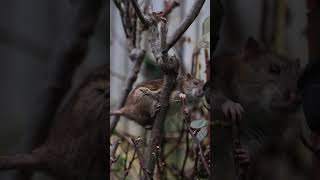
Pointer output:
75, 148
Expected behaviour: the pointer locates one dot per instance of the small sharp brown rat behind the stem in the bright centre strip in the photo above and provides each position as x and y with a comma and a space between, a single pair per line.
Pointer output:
143, 101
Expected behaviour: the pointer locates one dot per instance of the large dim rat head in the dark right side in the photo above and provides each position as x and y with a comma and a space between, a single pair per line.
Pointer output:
267, 80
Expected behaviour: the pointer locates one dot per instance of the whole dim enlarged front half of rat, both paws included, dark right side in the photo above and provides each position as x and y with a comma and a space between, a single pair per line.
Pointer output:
257, 89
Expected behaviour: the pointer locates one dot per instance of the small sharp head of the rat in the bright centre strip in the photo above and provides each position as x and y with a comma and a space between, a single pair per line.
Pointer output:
192, 87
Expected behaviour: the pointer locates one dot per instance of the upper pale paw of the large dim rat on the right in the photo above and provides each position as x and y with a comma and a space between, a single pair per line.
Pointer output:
232, 110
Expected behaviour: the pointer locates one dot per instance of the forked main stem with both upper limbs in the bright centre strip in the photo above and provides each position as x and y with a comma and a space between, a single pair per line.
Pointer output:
169, 66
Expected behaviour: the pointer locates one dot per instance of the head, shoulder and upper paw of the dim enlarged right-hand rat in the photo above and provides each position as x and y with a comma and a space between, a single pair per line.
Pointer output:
257, 79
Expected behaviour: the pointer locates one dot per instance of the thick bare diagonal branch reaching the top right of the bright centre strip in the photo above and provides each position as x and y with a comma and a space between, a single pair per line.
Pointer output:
195, 10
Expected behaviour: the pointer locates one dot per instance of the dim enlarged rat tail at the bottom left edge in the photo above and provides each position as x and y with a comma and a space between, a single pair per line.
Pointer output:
19, 161
